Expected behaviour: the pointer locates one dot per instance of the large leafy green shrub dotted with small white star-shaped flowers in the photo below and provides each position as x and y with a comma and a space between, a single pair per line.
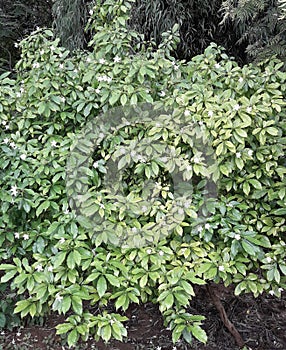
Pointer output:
130, 177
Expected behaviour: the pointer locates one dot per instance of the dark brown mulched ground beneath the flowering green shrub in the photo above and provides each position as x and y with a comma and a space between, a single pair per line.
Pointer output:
261, 323
